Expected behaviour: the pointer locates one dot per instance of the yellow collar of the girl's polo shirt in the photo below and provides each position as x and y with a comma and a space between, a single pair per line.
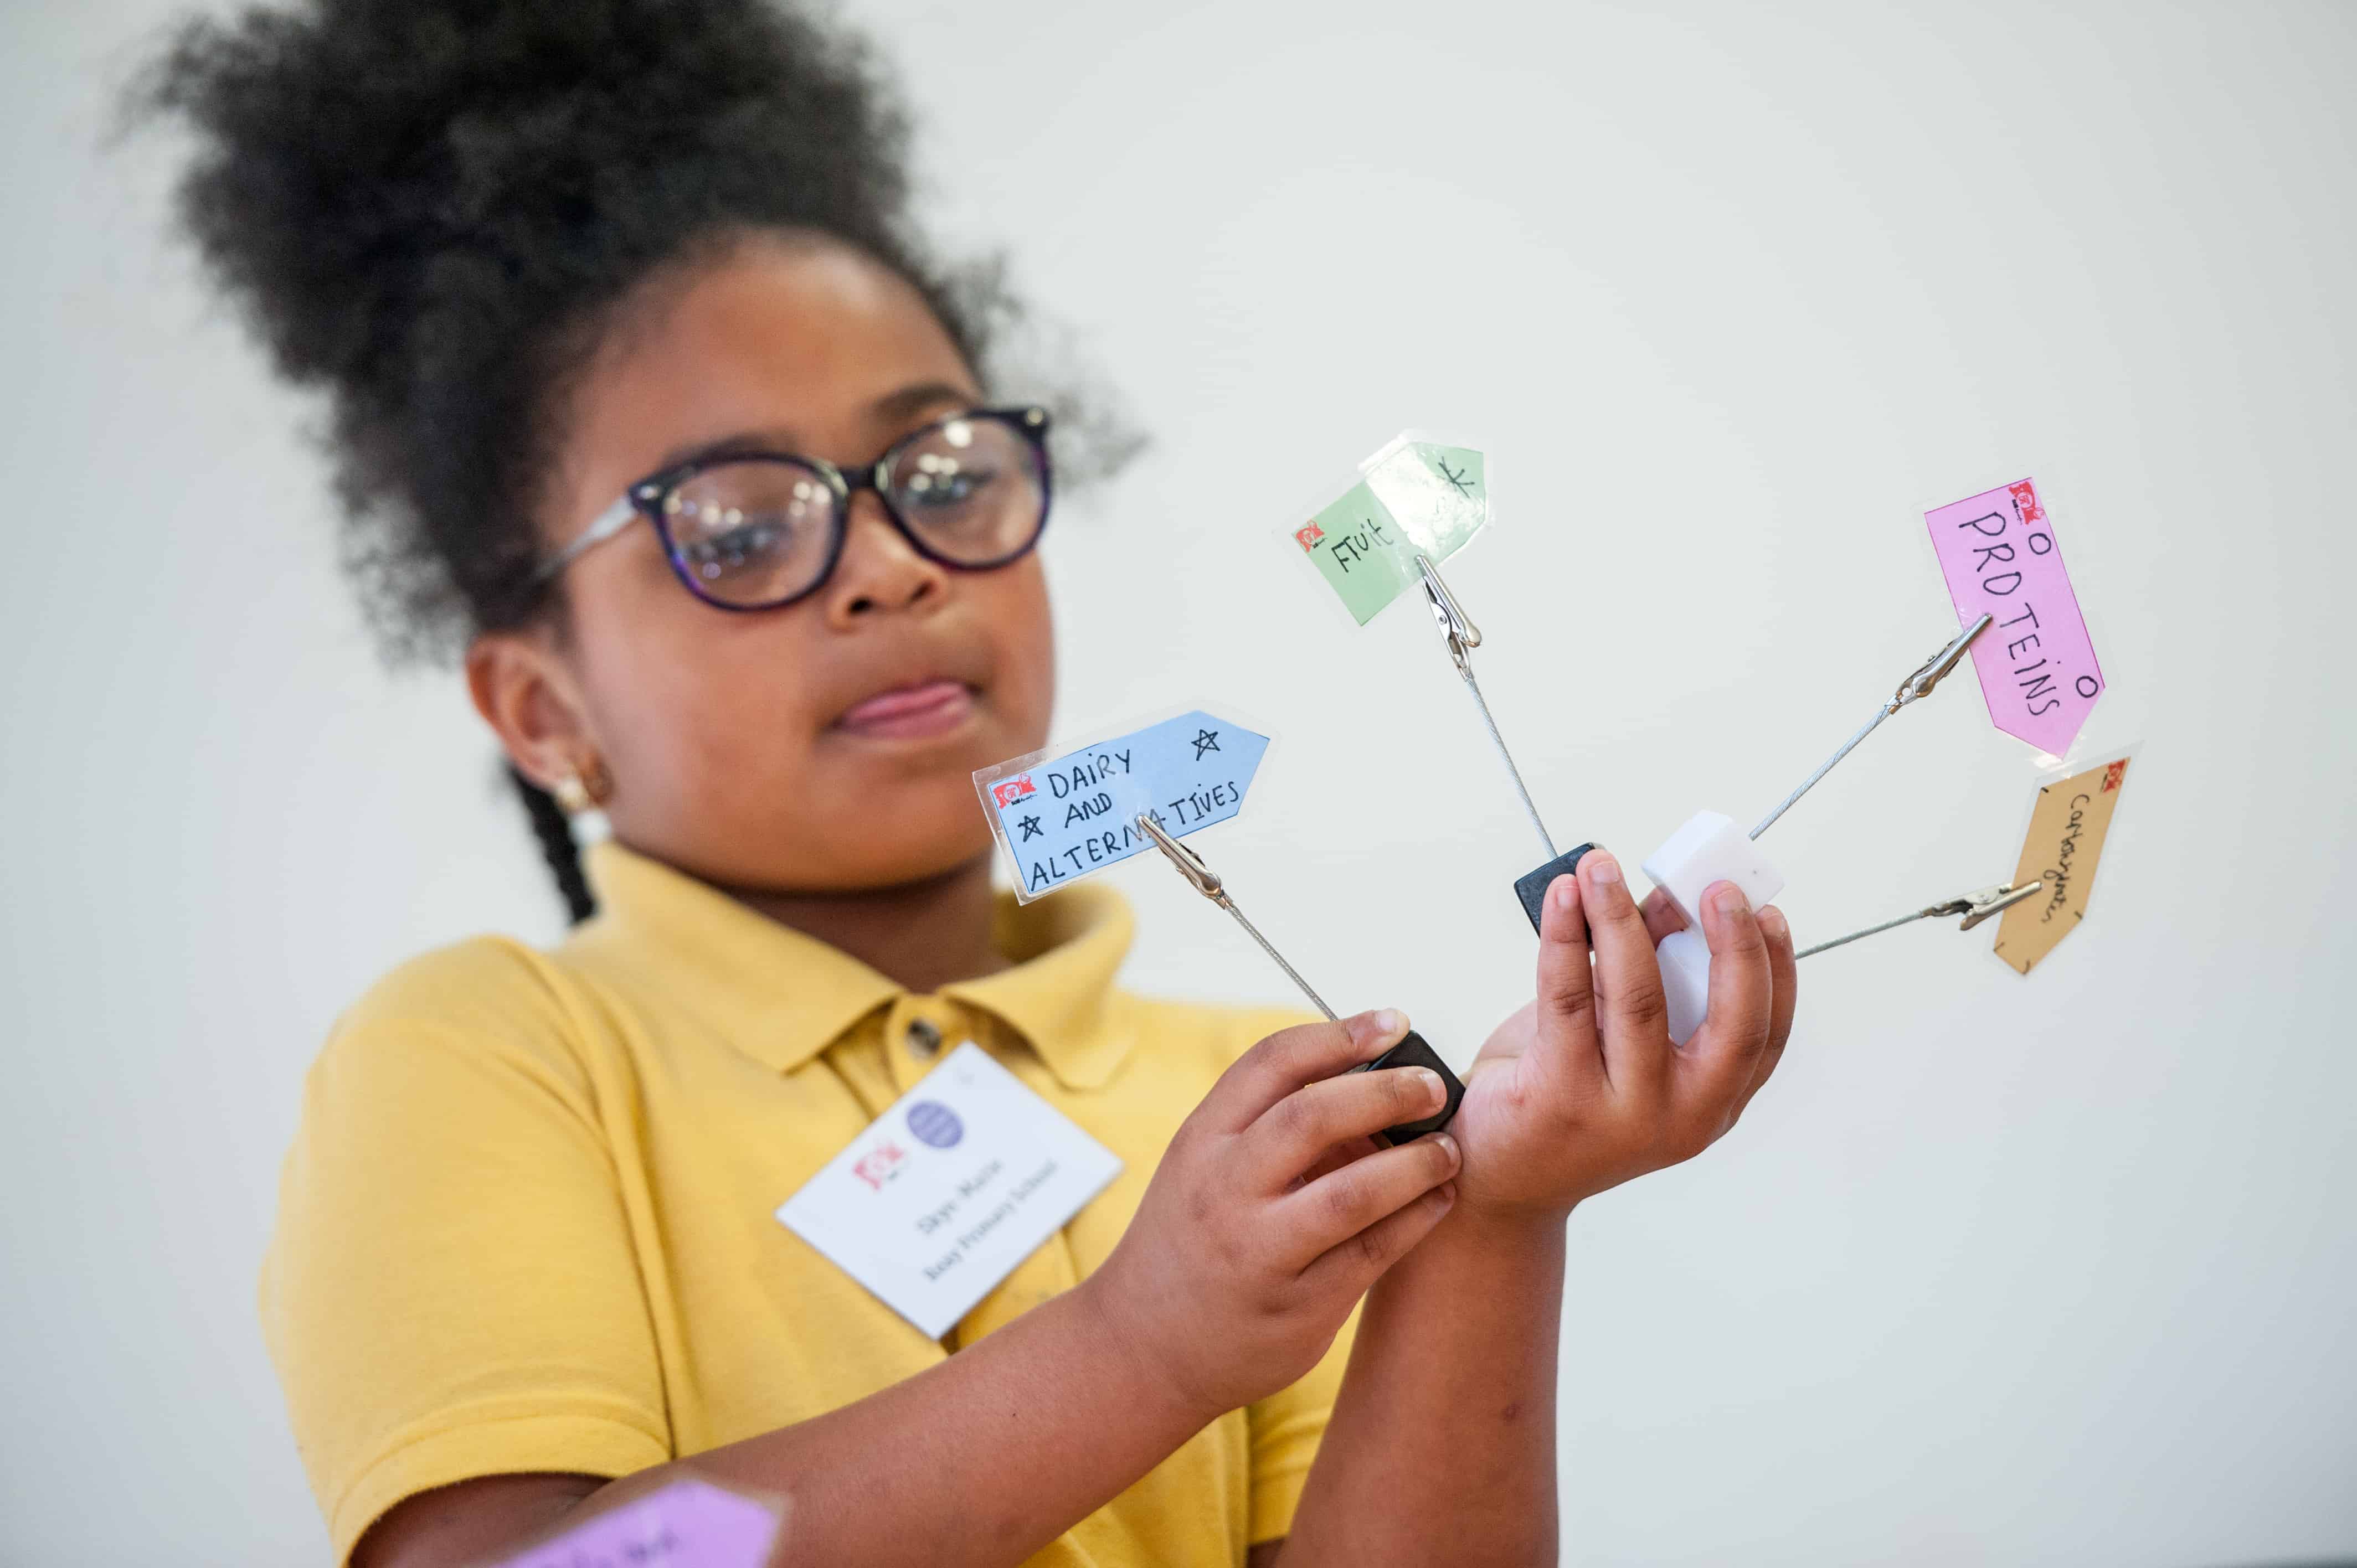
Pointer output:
784, 996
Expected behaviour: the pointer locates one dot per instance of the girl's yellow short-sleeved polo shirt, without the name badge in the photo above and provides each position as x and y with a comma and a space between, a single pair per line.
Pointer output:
529, 1215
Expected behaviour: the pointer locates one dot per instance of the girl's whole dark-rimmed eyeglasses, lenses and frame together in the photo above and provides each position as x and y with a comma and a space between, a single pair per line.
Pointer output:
758, 532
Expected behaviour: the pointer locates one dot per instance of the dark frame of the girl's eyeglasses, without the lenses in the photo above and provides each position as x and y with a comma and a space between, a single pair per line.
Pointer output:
652, 496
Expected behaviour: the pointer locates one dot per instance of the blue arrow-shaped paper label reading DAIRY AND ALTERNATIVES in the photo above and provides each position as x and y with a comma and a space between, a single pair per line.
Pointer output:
1076, 815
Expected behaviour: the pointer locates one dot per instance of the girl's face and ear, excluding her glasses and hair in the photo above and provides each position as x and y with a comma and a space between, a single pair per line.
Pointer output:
826, 746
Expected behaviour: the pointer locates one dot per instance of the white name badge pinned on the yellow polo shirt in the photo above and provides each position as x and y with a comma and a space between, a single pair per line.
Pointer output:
951, 1190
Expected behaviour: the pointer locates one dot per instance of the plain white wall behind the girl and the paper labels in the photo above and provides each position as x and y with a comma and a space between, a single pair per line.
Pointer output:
1998, 1272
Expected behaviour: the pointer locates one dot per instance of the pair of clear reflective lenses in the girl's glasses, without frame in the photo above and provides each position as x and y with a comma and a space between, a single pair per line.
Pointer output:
760, 529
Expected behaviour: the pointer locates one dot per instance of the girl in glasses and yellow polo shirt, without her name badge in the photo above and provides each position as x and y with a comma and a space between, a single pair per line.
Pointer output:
645, 395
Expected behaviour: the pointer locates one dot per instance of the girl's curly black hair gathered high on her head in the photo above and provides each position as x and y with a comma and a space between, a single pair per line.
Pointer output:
430, 211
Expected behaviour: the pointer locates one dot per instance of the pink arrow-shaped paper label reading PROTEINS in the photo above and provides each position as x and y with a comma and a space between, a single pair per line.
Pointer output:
2038, 668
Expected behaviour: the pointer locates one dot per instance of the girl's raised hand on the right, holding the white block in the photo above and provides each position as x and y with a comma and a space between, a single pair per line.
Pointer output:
1585, 1091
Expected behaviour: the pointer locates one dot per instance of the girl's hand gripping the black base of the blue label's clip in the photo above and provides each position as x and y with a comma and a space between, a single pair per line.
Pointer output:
1260, 1232
